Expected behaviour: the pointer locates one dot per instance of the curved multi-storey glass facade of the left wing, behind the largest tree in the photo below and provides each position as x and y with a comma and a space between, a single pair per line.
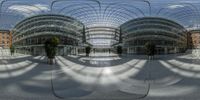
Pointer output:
30, 34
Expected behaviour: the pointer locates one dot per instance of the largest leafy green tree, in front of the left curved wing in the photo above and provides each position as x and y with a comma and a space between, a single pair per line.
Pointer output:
51, 48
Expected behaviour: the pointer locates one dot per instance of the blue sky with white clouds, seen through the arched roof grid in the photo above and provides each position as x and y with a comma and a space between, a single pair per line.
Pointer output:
185, 12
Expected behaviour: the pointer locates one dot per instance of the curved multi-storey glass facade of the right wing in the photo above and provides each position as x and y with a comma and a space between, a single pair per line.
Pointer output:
169, 36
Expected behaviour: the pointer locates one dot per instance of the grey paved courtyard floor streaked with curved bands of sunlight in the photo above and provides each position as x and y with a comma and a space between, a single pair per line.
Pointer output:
100, 77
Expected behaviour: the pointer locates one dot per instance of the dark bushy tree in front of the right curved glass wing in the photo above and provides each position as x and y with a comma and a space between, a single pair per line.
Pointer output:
150, 49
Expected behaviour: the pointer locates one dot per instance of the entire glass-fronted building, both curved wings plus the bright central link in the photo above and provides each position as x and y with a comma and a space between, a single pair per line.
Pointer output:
31, 33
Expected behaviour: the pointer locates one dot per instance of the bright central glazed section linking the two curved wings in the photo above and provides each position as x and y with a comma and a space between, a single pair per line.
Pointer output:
102, 37
